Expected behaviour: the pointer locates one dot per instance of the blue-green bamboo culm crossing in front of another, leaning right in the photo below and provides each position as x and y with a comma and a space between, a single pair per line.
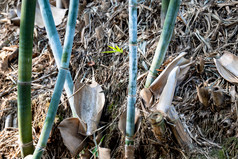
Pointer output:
68, 43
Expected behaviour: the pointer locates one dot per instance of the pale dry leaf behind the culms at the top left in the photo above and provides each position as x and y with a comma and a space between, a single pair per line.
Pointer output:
58, 15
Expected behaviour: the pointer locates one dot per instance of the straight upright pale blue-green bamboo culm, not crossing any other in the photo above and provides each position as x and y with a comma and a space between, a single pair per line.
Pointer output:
131, 100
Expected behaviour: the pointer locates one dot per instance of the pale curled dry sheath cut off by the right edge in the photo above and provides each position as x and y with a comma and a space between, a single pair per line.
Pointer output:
227, 66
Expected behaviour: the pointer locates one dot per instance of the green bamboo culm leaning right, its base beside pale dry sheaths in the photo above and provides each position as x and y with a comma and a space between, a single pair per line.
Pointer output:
163, 41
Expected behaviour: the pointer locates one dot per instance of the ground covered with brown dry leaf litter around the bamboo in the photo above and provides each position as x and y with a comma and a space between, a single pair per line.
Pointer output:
204, 29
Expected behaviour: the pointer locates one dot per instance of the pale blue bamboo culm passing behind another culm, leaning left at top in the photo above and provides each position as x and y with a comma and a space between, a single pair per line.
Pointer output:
56, 47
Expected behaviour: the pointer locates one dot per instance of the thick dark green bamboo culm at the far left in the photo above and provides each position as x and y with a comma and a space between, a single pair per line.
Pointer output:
24, 76
